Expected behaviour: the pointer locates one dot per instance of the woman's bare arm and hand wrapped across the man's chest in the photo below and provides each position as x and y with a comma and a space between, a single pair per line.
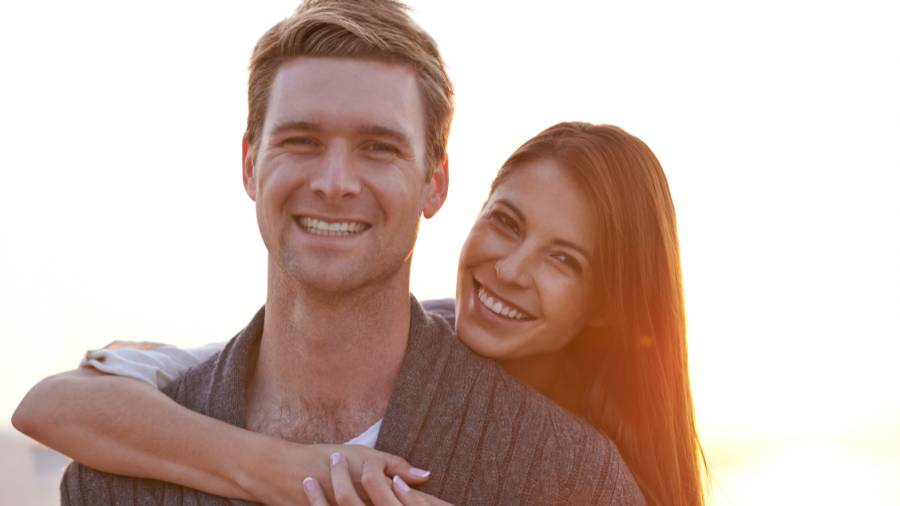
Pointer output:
125, 426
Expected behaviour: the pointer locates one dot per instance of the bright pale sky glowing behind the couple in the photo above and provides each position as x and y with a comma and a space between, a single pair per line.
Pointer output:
778, 123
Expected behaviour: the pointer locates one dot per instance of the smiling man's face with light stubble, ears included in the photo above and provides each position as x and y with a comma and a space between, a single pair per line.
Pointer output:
339, 176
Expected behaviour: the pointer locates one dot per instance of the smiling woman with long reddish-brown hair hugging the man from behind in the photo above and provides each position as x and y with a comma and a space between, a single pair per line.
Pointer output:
570, 279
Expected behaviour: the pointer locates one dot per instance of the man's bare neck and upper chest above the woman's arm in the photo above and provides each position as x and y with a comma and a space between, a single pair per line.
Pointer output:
334, 357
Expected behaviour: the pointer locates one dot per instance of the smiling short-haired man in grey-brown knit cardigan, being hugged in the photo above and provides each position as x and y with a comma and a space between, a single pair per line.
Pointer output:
349, 114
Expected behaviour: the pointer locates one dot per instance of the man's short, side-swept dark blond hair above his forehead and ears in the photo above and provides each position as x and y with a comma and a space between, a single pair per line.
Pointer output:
378, 30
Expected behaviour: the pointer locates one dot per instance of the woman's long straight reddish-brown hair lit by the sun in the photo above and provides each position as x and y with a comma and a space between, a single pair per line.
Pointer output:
629, 378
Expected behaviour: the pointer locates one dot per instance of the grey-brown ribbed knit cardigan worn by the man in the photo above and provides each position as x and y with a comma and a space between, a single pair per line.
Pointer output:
487, 438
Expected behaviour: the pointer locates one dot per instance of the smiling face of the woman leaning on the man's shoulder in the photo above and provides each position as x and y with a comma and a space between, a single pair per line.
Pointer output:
525, 278
